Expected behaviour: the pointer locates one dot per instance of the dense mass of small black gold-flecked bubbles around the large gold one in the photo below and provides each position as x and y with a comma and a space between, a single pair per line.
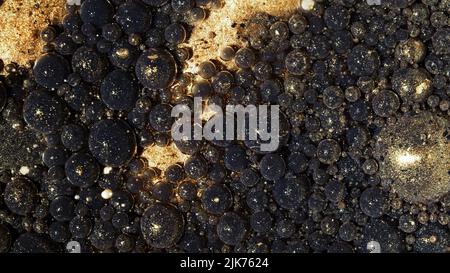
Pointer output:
341, 72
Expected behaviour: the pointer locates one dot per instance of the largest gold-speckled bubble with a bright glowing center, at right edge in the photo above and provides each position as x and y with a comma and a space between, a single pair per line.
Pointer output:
415, 154
